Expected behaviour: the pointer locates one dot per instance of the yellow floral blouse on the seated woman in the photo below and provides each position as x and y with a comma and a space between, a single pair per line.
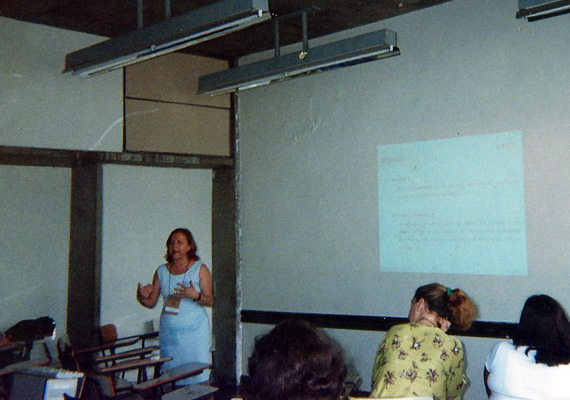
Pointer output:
415, 360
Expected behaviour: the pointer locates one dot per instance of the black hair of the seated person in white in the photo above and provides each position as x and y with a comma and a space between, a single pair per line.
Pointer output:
544, 327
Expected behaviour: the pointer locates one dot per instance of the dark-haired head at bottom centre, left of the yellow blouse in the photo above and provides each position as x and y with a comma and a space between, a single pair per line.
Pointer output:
295, 361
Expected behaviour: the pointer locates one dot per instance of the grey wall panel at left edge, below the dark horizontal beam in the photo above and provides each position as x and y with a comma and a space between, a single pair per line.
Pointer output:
34, 244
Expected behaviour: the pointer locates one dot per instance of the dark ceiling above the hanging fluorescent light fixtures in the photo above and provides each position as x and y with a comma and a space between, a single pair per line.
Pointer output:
113, 18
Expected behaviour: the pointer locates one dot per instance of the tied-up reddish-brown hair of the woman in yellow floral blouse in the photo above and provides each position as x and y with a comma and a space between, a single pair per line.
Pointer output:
451, 304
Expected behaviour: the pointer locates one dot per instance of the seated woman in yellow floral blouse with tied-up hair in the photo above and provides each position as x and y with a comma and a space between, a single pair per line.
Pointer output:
419, 359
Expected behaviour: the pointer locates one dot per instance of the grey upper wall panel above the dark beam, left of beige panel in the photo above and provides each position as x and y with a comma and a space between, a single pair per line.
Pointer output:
41, 107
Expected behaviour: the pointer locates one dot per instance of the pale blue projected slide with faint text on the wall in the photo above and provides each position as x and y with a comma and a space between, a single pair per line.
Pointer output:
453, 206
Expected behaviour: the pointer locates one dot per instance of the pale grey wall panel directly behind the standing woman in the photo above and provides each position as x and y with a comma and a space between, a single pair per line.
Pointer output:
141, 206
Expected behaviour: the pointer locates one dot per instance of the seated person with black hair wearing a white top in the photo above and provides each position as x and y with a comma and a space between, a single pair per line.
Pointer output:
536, 365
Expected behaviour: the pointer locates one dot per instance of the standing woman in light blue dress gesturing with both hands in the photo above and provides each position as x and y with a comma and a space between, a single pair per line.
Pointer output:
185, 284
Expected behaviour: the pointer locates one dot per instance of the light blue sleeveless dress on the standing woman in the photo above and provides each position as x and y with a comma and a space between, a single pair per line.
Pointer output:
186, 336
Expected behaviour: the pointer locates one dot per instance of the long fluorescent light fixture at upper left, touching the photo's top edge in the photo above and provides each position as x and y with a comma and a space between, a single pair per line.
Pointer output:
170, 35
